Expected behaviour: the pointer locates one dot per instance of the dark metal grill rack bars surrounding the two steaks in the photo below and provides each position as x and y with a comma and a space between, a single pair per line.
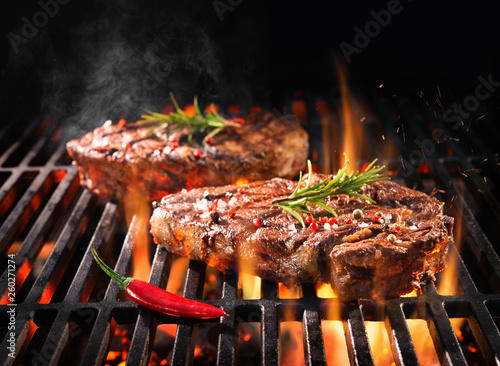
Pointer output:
80, 306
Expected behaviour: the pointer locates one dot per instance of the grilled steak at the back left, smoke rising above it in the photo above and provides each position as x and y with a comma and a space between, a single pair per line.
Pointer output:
114, 160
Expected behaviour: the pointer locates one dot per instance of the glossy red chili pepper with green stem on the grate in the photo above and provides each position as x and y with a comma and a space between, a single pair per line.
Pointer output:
157, 299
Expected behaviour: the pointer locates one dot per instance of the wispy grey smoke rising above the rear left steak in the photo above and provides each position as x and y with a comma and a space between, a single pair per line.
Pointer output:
99, 60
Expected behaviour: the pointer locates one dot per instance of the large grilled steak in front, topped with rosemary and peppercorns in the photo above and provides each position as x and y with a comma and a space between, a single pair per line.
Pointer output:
400, 242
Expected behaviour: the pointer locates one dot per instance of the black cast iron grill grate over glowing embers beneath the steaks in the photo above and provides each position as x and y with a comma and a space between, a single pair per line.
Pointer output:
67, 312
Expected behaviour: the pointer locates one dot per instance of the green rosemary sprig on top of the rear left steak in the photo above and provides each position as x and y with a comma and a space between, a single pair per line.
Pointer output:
211, 122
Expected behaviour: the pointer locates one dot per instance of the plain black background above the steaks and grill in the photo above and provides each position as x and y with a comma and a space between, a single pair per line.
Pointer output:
258, 48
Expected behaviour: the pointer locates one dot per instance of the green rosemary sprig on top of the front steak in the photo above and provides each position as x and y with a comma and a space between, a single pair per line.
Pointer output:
302, 198
